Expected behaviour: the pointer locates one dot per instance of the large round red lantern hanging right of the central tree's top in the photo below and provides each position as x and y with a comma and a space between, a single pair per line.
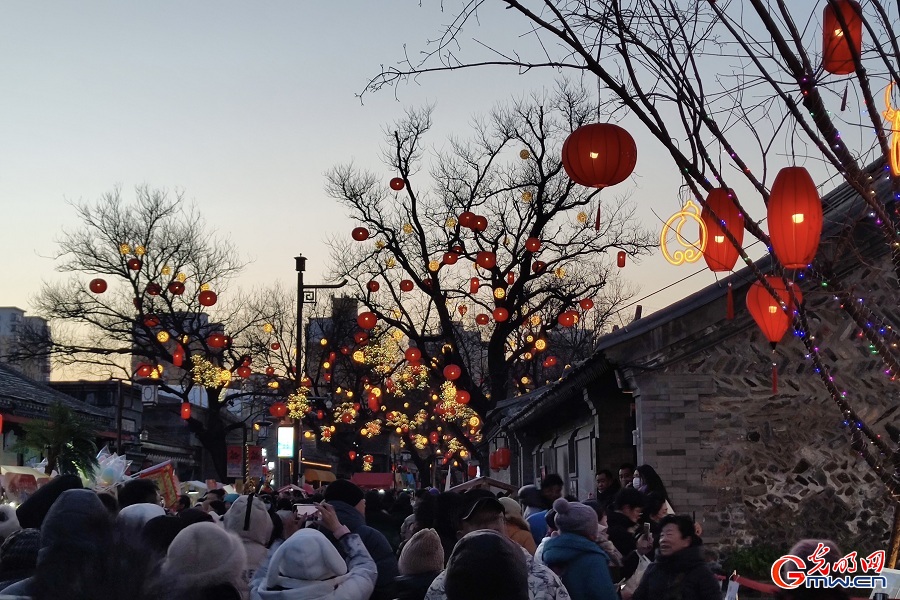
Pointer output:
599, 155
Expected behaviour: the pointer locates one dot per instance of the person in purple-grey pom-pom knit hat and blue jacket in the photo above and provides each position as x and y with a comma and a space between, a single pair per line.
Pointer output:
574, 554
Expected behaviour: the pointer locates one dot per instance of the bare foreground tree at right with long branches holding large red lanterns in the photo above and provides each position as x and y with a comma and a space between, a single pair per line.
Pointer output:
734, 92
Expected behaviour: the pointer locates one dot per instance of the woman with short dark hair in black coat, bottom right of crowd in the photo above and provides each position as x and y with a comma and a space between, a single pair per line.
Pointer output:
680, 571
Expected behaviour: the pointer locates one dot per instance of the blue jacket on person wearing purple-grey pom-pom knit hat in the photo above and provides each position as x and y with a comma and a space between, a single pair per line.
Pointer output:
582, 565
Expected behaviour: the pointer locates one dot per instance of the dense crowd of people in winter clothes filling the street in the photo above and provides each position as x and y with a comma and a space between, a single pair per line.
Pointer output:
623, 542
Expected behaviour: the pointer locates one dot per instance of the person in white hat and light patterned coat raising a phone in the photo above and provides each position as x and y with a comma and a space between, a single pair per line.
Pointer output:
308, 567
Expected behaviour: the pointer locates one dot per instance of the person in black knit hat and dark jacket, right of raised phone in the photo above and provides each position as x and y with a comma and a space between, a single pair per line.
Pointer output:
349, 504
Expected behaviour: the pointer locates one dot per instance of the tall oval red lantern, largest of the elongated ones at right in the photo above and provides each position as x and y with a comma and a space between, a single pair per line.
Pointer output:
795, 217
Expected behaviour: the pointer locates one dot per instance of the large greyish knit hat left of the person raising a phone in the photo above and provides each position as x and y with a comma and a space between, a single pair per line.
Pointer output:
202, 555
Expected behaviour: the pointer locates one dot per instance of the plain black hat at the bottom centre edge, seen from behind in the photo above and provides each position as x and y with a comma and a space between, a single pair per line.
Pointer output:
486, 564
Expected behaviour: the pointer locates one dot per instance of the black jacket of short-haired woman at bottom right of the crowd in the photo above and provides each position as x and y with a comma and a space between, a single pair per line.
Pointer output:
681, 576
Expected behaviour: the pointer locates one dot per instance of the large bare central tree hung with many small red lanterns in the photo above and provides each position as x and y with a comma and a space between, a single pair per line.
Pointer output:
476, 266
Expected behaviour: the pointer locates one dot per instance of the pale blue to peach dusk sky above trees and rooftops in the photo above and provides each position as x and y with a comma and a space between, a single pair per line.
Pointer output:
244, 108
